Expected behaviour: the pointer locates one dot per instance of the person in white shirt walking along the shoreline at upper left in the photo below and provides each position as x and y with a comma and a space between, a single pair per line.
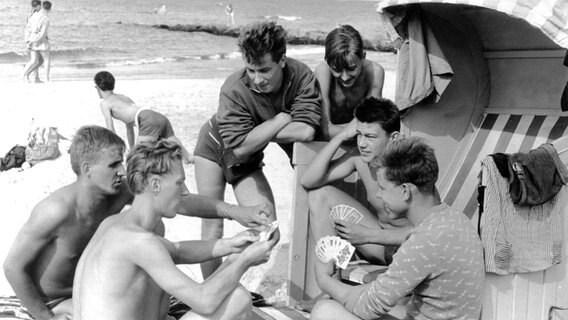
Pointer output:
38, 41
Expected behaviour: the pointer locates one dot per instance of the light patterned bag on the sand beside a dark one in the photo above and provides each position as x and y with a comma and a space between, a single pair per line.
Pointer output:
43, 144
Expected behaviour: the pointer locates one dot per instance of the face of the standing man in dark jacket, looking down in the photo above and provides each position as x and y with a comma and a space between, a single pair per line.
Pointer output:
266, 76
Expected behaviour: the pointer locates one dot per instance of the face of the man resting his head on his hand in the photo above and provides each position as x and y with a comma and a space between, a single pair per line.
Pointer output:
372, 139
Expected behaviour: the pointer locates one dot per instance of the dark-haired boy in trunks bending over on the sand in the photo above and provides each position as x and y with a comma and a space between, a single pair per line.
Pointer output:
151, 125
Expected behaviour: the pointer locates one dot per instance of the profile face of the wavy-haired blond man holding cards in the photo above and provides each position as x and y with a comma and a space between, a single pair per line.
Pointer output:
172, 189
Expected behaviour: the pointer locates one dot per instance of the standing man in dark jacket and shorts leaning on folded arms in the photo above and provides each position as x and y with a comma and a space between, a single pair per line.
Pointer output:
273, 98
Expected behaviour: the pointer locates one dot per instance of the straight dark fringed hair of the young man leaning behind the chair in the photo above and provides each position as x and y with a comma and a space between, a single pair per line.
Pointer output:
341, 44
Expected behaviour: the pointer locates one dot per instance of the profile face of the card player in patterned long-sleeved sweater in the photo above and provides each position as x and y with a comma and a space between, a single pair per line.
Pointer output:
392, 195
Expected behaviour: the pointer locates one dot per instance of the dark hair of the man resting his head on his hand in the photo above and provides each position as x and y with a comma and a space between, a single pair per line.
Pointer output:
379, 110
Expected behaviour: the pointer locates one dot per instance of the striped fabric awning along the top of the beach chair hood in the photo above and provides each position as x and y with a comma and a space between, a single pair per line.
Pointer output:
550, 16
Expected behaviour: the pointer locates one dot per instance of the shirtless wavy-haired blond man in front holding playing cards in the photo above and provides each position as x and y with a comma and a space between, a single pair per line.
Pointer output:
128, 269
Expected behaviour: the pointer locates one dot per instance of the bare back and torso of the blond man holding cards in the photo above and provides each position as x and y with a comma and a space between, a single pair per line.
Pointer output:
109, 285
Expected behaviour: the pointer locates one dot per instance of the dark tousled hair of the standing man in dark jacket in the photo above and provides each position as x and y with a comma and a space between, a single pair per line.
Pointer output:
259, 38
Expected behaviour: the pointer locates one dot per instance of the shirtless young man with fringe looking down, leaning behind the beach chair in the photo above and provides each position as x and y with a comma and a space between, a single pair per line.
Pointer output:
345, 78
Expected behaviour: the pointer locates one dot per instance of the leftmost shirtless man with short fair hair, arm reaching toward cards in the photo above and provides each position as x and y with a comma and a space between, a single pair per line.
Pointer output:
41, 263
